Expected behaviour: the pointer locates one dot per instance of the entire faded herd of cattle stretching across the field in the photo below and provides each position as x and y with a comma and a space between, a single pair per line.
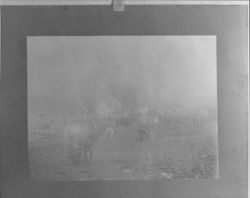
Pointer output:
81, 138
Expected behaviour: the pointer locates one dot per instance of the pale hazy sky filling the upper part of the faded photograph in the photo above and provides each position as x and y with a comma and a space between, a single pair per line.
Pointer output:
163, 69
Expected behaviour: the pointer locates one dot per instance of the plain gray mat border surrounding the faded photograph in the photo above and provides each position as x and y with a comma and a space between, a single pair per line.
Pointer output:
228, 23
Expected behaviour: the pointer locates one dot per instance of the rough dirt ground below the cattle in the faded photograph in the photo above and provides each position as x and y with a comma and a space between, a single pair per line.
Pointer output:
177, 152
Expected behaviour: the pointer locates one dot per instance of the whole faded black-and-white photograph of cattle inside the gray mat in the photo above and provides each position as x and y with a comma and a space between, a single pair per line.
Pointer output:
122, 107
